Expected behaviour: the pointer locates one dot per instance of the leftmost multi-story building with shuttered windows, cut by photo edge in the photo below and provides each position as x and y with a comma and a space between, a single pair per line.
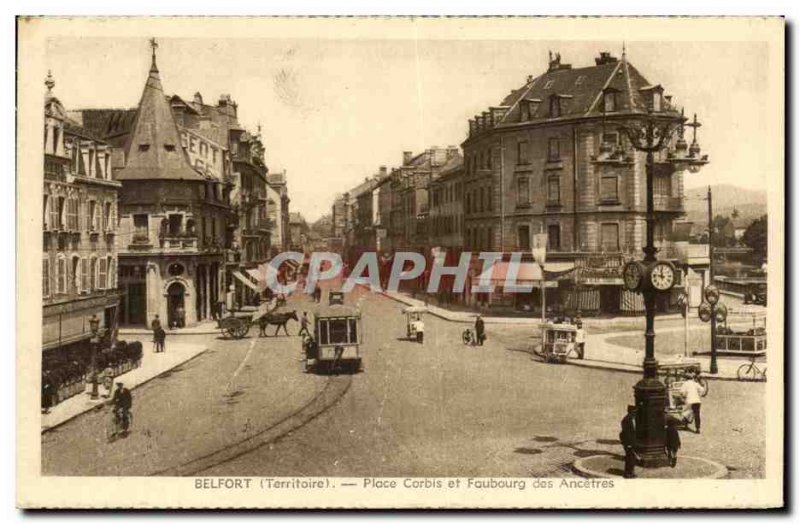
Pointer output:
79, 263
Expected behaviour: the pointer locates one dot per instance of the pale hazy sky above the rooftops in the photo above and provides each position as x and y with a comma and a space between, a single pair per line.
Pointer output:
333, 110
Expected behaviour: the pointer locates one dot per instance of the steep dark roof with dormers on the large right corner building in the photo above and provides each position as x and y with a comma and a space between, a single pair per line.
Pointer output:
581, 92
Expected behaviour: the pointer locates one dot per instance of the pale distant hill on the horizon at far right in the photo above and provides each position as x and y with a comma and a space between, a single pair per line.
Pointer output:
750, 203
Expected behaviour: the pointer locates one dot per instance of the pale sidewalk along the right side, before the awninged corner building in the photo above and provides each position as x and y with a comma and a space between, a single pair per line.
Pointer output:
601, 354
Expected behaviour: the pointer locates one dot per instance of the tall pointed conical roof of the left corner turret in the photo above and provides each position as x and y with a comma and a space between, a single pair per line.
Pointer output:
154, 148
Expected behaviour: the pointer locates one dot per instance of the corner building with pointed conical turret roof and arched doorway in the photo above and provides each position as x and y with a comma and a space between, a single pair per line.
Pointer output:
173, 218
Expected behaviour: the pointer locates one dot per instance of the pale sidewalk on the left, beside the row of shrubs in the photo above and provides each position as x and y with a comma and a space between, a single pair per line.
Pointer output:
153, 365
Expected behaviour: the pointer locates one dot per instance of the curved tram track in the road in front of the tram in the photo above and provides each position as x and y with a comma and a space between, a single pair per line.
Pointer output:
335, 388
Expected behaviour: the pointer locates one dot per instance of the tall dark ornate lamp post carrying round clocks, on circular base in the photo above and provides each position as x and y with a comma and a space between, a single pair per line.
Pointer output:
650, 134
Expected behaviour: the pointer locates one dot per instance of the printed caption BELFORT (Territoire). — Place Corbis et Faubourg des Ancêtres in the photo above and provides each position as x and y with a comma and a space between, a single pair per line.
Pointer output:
406, 483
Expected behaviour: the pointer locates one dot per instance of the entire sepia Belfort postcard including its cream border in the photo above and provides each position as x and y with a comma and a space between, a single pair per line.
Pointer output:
400, 262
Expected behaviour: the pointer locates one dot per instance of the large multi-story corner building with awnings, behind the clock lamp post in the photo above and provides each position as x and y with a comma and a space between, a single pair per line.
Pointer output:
549, 160
